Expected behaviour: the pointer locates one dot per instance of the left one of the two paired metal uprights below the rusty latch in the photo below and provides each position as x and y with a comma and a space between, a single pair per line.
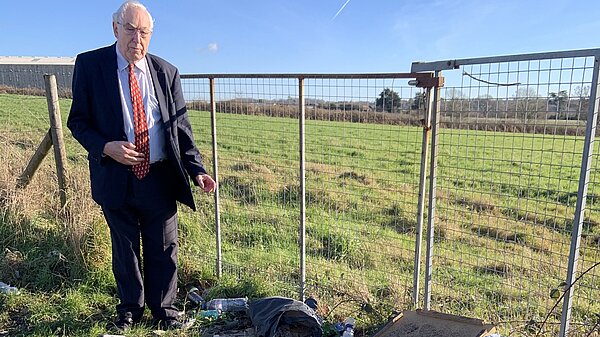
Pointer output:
421, 201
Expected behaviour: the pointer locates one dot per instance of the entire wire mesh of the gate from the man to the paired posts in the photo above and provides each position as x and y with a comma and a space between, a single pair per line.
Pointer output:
362, 150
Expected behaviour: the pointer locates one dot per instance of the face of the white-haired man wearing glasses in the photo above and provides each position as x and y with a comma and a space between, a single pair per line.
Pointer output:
133, 34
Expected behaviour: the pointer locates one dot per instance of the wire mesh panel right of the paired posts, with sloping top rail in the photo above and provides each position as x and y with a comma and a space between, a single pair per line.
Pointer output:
511, 139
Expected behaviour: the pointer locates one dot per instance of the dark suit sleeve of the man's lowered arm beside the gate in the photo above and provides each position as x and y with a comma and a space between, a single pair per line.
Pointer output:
190, 155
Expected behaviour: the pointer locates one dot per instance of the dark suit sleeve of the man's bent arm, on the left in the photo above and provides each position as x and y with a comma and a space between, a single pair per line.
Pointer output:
80, 120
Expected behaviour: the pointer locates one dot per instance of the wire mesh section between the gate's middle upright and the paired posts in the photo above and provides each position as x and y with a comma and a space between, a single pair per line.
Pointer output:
363, 162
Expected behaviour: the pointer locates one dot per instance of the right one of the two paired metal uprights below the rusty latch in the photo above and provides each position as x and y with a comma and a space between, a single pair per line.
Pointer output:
432, 191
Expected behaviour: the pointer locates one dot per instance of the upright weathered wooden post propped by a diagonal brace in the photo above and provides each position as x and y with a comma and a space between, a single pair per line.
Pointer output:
60, 155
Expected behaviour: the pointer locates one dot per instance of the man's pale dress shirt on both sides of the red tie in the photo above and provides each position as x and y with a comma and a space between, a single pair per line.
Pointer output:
156, 134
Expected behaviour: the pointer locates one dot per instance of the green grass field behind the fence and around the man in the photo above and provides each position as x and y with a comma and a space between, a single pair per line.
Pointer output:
504, 216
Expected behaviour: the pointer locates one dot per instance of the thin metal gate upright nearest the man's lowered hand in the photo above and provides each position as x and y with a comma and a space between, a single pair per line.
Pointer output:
213, 122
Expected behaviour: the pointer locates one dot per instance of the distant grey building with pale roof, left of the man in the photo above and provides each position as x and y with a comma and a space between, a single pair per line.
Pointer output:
28, 71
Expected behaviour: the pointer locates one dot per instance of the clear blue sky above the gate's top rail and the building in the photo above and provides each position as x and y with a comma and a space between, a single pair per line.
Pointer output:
294, 36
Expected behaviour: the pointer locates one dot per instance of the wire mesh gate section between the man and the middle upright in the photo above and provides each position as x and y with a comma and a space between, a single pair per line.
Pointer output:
258, 174
